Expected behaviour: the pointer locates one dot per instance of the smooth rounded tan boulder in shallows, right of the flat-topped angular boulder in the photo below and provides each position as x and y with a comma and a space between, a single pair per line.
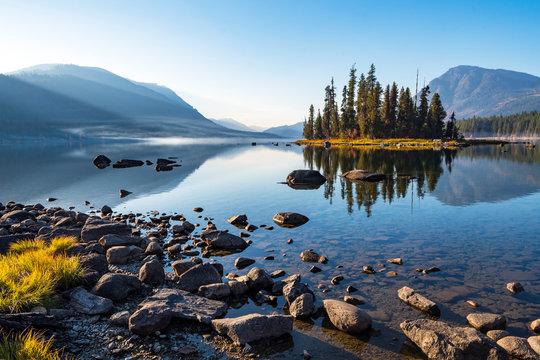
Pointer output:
347, 317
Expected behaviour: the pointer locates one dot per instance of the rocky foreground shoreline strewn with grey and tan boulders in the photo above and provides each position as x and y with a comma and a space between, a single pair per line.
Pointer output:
129, 307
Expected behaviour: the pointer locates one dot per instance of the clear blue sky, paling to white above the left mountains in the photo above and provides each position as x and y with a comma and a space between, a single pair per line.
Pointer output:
264, 62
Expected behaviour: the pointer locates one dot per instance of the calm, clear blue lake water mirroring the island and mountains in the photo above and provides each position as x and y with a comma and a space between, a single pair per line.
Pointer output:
474, 213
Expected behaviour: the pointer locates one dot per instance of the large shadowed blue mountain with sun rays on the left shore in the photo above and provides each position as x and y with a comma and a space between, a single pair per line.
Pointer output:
56, 100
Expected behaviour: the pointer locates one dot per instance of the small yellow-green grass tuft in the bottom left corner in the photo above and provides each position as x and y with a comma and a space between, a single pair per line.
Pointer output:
28, 345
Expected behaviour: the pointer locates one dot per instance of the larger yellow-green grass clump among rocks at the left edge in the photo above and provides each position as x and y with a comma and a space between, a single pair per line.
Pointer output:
32, 271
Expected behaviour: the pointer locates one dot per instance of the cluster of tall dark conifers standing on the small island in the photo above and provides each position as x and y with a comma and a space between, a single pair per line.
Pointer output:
368, 111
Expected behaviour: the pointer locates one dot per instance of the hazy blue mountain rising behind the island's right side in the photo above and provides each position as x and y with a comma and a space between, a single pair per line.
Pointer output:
472, 90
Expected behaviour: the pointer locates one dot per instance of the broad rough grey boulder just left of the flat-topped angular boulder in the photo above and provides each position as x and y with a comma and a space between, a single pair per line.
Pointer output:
156, 312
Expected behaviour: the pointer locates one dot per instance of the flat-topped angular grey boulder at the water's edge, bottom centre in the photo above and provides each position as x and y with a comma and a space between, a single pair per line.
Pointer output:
253, 327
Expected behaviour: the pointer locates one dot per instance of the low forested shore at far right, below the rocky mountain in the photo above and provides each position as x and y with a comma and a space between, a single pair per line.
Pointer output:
523, 124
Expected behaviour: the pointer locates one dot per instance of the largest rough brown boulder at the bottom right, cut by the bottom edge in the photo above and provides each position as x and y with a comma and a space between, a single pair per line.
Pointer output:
442, 341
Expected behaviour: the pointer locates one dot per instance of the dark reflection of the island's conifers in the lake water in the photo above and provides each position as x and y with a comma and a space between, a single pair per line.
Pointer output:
401, 168
